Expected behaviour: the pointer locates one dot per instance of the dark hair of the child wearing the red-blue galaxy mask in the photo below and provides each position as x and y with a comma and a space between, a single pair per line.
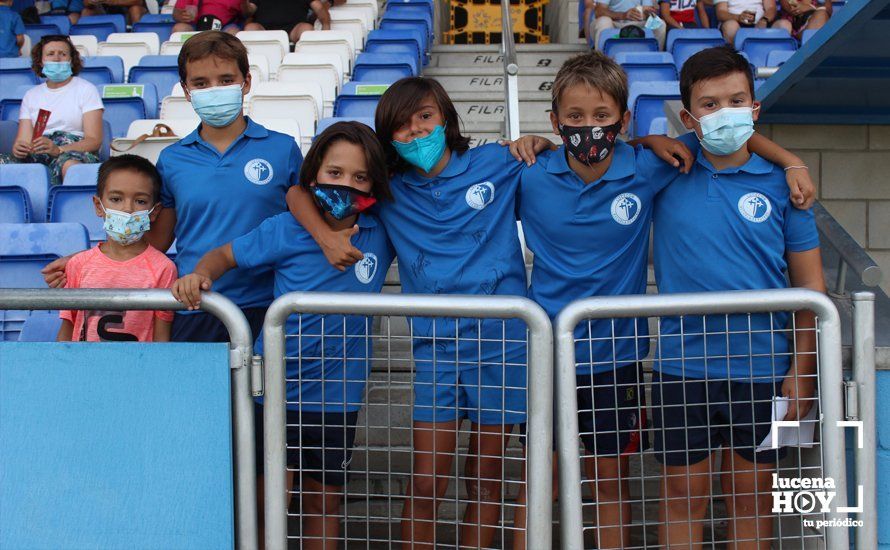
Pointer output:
356, 133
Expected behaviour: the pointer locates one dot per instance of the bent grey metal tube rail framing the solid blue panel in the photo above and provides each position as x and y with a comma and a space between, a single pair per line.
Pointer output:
240, 352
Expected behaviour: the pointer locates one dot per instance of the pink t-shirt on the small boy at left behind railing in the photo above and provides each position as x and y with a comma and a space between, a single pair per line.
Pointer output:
93, 269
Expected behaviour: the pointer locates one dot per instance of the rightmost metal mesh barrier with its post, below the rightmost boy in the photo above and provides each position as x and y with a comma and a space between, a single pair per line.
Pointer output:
829, 382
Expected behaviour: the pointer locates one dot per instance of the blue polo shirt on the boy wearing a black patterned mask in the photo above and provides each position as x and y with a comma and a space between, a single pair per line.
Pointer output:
593, 240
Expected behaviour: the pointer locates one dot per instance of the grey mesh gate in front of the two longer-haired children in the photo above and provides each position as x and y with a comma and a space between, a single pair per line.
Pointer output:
360, 499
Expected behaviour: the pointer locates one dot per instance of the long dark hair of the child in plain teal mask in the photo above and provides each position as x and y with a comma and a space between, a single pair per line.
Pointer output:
399, 103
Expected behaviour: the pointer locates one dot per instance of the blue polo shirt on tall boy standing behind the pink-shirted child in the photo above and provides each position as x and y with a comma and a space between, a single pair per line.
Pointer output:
219, 197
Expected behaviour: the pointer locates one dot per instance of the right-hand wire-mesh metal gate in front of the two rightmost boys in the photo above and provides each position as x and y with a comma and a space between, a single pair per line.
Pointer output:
639, 488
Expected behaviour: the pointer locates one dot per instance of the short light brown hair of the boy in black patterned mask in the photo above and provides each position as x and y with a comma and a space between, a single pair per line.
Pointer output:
595, 70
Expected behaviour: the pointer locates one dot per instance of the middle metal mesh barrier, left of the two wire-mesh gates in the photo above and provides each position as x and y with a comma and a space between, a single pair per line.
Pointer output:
368, 505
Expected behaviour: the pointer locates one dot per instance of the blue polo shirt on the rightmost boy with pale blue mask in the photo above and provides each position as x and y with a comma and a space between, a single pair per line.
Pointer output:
727, 230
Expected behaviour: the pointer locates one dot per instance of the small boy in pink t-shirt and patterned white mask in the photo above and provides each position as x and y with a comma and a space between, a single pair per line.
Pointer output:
128, 198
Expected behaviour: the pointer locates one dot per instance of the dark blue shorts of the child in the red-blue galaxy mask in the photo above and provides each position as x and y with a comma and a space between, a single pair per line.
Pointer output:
318, 444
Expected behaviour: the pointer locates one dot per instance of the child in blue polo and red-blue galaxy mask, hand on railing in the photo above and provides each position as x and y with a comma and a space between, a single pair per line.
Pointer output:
326, 376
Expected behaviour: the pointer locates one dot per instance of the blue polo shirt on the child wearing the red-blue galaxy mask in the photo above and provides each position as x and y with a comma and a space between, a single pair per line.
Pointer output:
325, 372
